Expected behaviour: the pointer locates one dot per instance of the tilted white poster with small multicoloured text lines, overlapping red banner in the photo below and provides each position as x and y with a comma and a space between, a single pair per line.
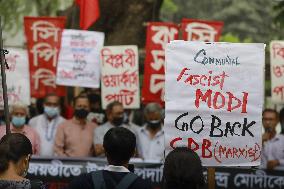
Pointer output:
78, 62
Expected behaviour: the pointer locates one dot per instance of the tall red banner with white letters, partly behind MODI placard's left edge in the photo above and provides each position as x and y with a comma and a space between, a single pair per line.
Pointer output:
158, 35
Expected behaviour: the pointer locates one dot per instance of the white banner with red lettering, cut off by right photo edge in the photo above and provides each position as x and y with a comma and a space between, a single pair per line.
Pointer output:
277, 71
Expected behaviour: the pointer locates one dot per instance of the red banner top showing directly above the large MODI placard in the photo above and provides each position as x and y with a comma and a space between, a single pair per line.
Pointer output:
201, 30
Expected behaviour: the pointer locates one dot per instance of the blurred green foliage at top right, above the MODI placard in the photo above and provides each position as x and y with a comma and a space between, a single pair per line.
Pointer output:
247, 19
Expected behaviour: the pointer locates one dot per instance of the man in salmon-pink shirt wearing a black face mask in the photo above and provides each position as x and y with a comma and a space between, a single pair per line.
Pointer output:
74, 137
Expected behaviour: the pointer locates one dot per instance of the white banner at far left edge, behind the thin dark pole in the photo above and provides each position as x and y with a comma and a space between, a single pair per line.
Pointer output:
17, 77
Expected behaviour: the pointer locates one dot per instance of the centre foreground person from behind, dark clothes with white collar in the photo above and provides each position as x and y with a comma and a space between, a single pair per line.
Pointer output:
119, 144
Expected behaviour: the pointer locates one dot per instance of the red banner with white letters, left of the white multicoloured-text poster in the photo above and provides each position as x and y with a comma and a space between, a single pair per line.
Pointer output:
43, 42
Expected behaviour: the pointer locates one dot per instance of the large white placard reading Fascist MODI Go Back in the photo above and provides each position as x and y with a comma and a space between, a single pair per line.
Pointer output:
214, 98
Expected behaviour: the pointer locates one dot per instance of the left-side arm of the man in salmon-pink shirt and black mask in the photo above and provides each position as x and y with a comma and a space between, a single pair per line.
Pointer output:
59, 142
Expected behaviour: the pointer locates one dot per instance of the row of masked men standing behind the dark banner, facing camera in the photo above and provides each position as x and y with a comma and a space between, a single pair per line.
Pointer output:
82, 135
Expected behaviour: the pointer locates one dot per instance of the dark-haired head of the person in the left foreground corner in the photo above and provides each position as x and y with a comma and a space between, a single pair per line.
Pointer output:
16, 150
